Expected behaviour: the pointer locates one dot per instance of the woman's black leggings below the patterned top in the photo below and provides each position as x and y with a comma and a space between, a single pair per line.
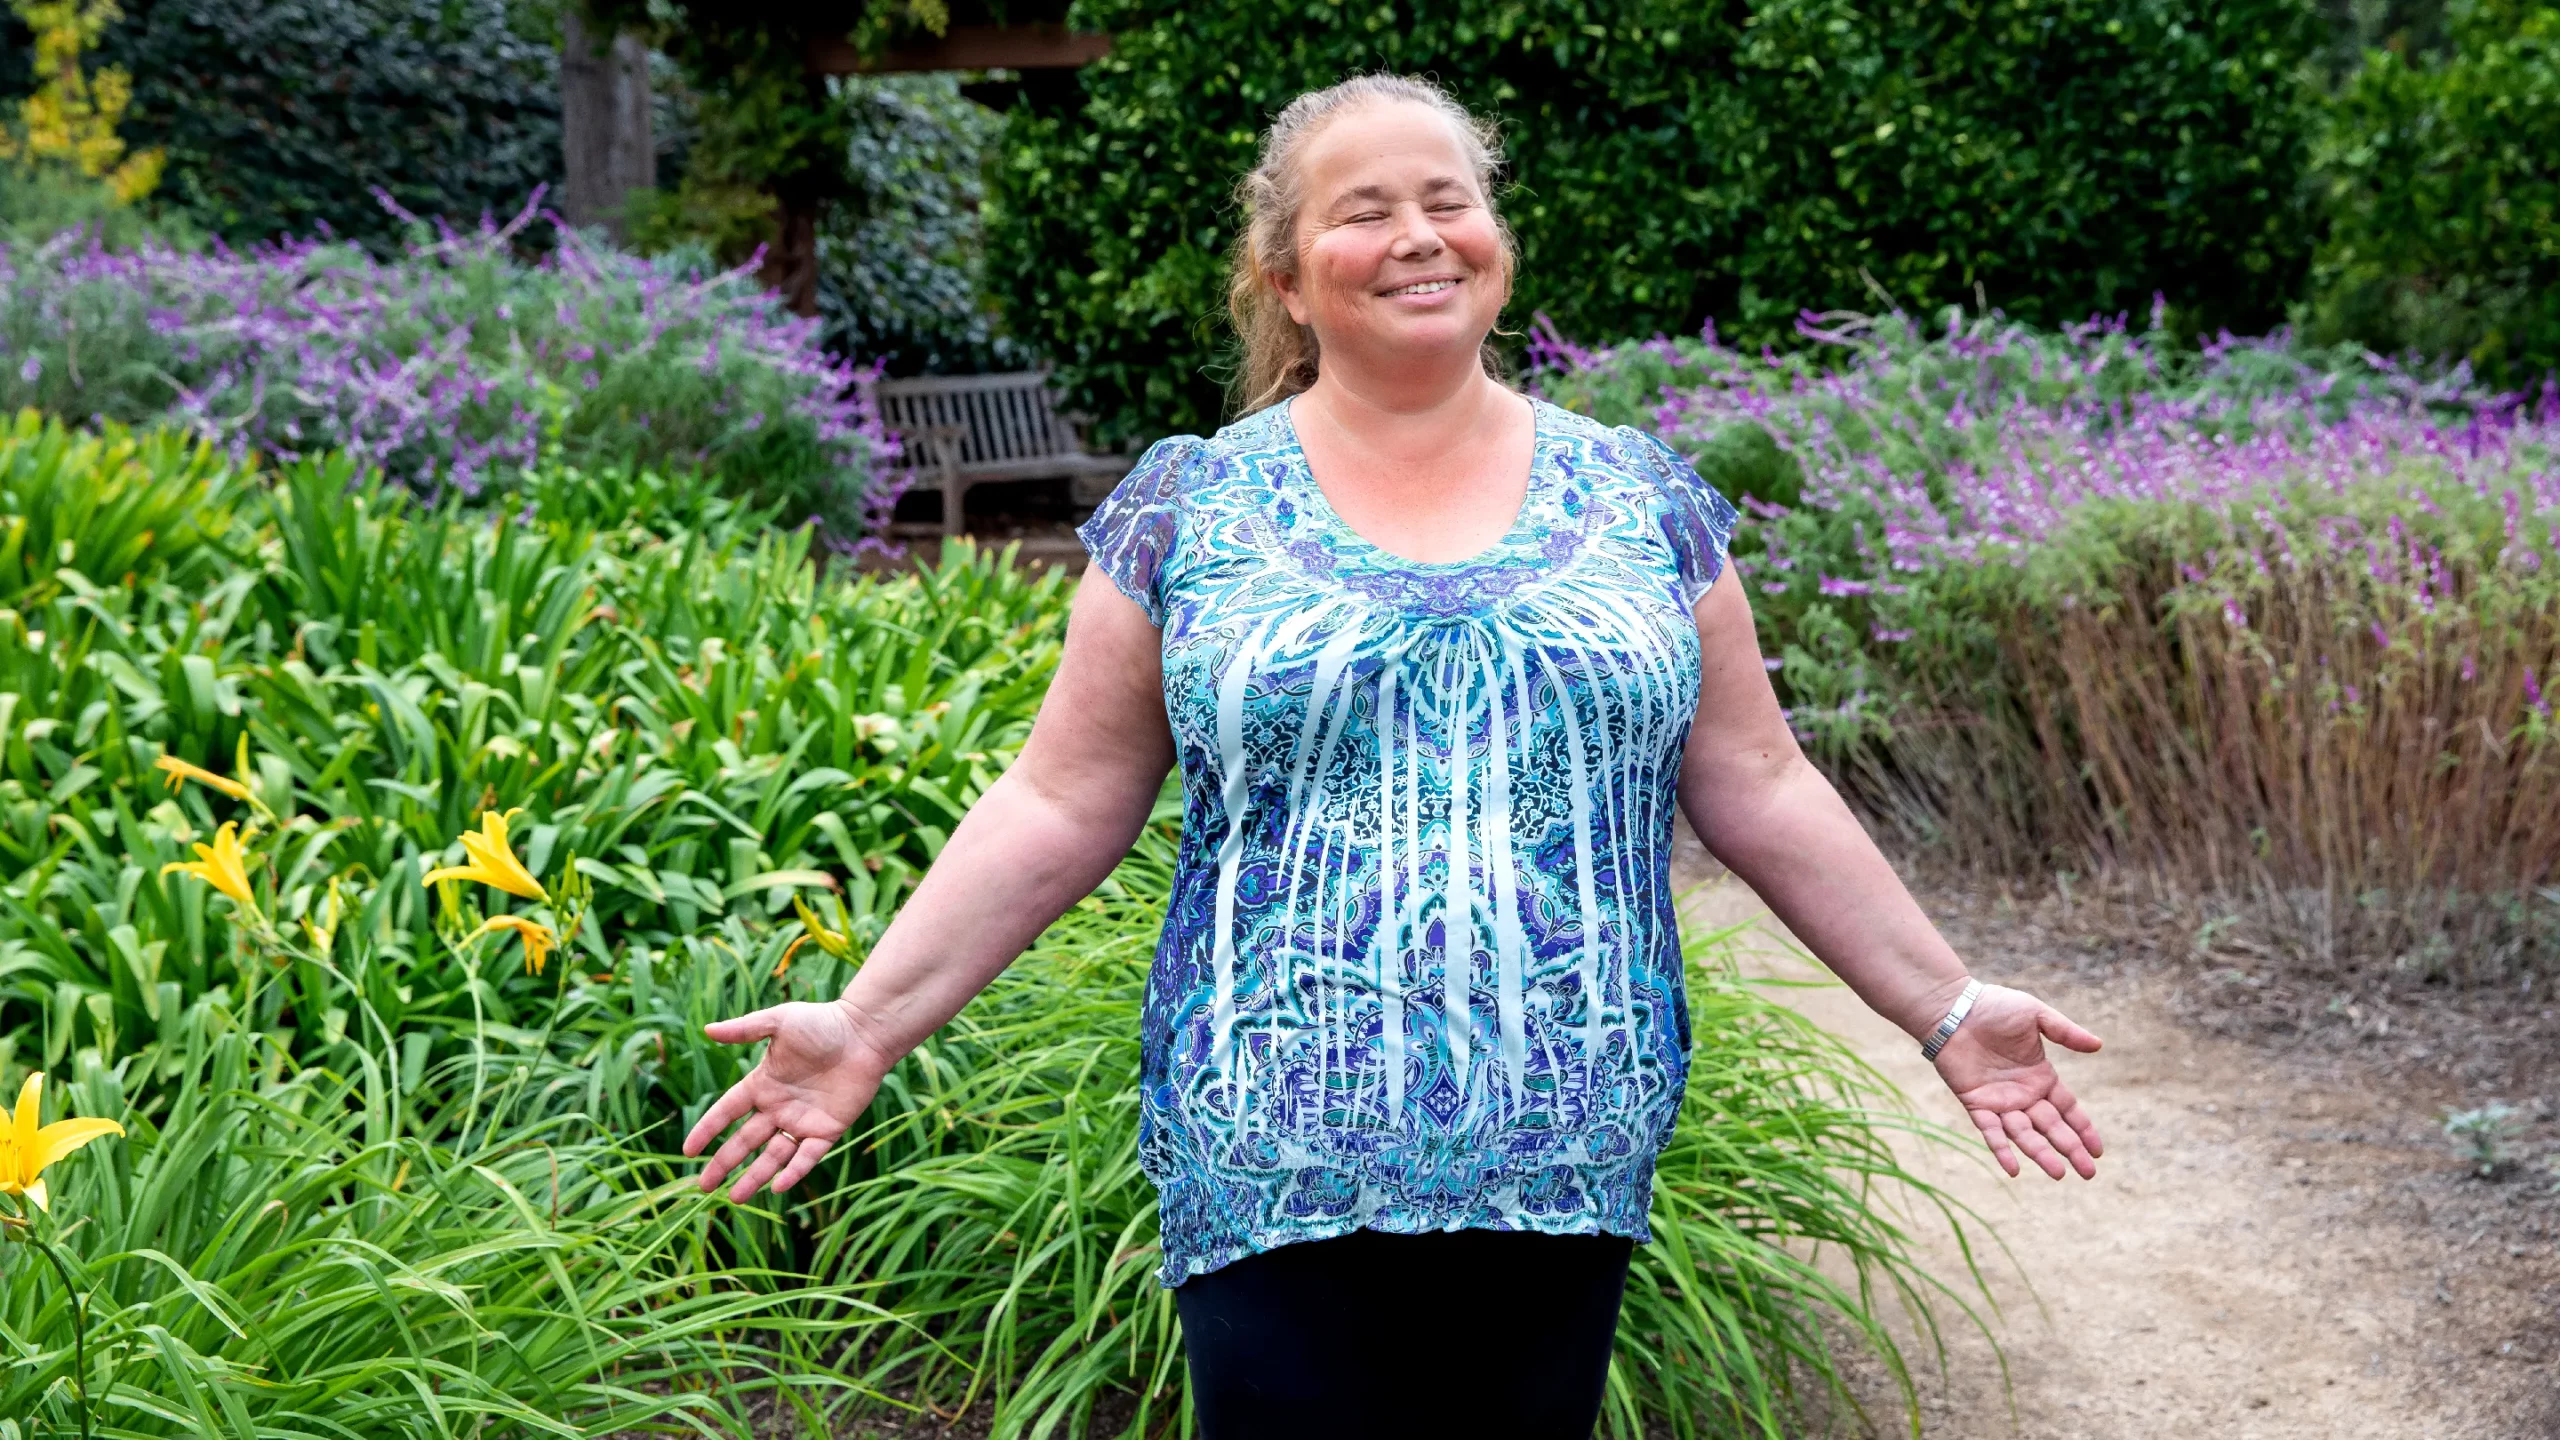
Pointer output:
1481, 1334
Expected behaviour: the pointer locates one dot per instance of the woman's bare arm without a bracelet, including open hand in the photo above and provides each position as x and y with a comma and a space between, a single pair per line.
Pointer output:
1038, 842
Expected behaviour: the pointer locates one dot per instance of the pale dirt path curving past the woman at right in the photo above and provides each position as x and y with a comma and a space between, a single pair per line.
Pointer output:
2269, 1252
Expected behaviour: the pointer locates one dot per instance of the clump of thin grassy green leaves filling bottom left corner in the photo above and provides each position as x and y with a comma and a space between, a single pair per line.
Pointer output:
283, 1252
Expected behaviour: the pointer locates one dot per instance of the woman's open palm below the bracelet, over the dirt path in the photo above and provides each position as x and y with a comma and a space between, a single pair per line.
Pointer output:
1998, 1067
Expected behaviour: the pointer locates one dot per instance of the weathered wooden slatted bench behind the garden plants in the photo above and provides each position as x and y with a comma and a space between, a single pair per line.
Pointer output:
966, 429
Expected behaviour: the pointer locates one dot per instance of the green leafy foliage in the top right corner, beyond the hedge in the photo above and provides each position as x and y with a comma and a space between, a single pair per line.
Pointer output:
2444, 188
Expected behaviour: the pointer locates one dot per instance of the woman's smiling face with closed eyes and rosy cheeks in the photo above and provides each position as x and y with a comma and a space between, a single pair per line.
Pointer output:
1399, 255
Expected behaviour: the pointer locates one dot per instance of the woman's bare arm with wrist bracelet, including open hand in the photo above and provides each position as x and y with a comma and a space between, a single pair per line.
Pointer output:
1775, 821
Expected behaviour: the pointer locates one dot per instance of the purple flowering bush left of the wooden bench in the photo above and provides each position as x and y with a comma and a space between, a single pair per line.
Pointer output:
457, 368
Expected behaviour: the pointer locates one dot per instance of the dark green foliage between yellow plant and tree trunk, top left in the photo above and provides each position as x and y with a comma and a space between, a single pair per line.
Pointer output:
283, 117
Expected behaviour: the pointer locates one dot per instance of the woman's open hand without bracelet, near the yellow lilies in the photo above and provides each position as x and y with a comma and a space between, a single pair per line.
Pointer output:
813, 1085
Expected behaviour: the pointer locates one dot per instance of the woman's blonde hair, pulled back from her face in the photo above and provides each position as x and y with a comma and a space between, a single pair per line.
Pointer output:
1279, 352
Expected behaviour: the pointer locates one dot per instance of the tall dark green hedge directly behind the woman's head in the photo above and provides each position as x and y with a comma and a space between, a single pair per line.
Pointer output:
1676, 163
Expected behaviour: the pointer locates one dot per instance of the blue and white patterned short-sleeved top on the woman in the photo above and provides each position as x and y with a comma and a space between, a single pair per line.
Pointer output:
1422, 967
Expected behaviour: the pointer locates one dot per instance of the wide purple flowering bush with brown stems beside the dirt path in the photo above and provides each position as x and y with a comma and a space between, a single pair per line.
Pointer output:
2269, 619
